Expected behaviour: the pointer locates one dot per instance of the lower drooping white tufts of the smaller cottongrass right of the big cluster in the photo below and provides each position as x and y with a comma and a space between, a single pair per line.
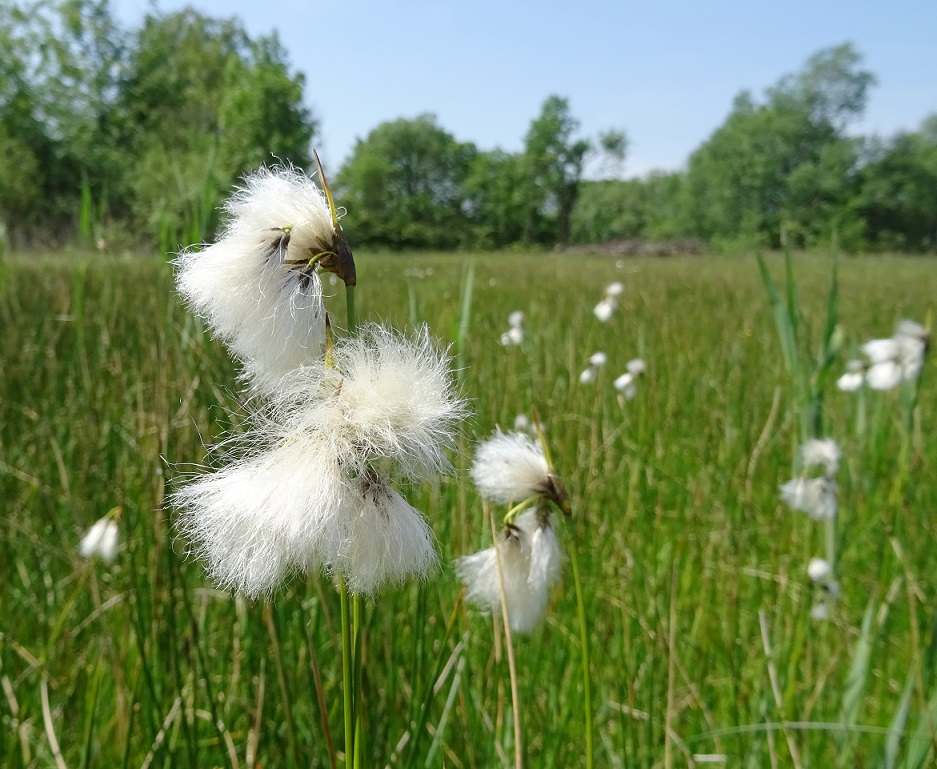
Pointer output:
531, 561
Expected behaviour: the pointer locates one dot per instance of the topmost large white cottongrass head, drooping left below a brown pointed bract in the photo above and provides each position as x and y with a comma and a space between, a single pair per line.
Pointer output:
254, 287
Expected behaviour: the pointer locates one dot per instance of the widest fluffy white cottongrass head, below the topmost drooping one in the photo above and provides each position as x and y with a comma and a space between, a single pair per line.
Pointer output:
305, 495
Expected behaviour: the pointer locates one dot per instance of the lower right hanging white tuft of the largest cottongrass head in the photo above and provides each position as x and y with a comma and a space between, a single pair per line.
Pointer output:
388, 541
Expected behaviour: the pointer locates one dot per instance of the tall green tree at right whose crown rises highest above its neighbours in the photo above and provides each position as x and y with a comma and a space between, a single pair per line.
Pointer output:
784, 166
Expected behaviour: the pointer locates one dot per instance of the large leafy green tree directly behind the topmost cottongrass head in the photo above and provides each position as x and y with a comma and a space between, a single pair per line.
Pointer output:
201, 105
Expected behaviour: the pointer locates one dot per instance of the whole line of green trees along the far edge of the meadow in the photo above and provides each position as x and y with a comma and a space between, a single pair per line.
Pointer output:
131, 138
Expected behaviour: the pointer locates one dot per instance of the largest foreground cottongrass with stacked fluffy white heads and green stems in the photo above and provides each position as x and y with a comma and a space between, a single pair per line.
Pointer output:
332, 424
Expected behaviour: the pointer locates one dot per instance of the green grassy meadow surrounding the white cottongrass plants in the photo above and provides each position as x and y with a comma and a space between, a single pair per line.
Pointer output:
694, 573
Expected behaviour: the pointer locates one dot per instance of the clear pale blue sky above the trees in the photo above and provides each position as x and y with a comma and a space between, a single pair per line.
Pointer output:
666, 72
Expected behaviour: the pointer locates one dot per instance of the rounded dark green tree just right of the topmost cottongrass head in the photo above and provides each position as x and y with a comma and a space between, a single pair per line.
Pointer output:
405, 186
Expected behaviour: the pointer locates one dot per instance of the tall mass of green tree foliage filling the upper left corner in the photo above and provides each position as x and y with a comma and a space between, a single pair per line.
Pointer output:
135, 135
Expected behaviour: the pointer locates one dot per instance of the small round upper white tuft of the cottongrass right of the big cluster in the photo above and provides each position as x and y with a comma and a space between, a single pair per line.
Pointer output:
510, 467
